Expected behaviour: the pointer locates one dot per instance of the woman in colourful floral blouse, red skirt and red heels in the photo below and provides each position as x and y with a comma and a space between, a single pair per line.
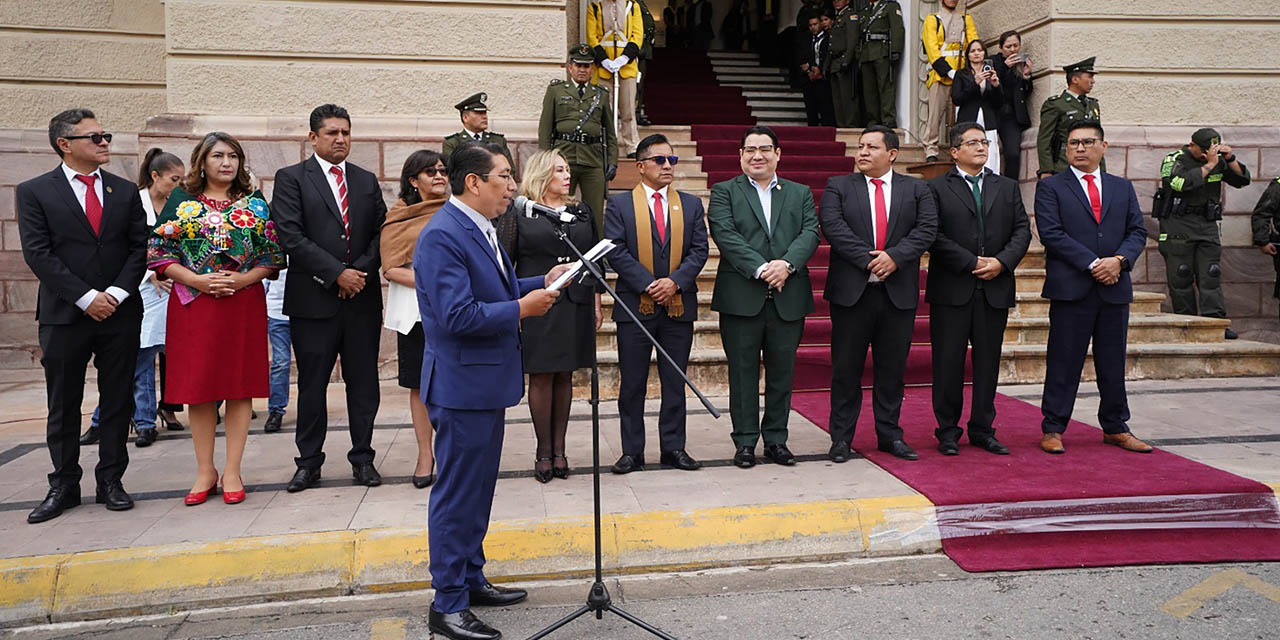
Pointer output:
217, 243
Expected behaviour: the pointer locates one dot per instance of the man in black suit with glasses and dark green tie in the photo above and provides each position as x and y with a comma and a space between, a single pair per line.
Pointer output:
984, 234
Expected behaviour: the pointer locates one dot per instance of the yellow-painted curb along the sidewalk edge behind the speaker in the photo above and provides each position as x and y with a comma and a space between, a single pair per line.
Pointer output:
150, 579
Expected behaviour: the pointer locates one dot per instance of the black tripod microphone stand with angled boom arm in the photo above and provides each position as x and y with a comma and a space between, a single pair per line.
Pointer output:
598, 600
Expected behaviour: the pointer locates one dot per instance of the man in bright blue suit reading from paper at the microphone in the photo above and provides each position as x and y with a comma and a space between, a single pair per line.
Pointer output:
472, 307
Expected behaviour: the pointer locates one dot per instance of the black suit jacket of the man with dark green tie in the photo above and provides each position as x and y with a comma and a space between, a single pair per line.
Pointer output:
956, 252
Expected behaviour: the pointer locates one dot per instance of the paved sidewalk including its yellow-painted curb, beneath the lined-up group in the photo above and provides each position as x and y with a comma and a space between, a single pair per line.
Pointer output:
339, 538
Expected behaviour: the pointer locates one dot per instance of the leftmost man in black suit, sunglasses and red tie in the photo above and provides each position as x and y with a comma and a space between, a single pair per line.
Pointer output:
84, 235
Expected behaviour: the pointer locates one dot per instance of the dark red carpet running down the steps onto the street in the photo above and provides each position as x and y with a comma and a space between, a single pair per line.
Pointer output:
1094, 506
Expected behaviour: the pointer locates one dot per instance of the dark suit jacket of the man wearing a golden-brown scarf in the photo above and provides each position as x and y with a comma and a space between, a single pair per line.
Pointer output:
634, 278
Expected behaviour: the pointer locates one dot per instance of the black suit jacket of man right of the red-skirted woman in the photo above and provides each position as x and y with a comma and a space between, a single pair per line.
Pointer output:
312, 232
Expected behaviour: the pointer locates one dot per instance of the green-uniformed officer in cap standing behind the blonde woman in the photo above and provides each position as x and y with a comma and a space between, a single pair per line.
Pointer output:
578, 121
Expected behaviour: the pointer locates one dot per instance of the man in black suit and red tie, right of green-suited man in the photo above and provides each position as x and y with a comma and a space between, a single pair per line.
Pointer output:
879, 225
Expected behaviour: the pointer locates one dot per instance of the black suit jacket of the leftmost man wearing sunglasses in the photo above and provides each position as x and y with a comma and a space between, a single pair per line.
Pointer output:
66, 255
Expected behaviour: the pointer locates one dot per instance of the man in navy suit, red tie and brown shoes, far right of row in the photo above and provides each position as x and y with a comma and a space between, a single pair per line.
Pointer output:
1092, 231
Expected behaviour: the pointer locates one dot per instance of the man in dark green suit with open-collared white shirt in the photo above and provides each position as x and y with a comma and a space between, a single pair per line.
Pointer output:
766, 230
